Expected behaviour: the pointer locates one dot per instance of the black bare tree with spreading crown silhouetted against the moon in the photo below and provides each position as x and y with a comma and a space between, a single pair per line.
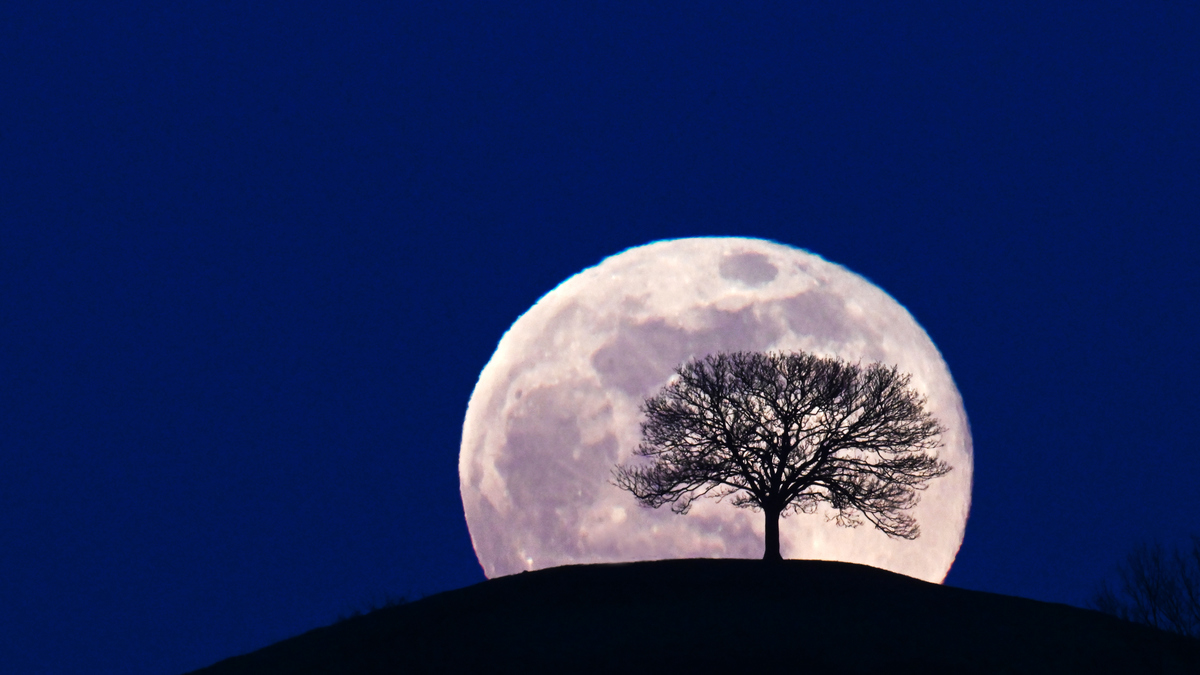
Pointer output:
784, 433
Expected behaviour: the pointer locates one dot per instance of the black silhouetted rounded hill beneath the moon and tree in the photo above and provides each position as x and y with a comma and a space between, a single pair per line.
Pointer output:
741, 616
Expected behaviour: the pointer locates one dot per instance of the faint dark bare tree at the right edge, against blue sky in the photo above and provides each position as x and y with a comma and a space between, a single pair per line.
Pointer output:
1157, 588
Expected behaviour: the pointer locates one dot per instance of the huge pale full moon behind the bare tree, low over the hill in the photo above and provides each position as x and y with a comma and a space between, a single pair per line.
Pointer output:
557, 408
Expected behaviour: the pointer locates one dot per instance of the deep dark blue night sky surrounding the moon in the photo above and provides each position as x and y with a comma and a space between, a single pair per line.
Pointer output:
253, 261
